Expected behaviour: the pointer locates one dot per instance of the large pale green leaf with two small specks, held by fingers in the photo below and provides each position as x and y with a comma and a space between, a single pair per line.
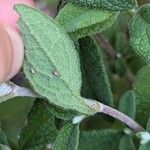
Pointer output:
51, 64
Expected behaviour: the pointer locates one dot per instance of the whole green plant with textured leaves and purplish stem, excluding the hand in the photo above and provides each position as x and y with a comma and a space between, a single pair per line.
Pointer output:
82, 66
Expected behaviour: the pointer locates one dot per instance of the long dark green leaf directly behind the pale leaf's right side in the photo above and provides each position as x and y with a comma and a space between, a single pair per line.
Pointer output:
95, 71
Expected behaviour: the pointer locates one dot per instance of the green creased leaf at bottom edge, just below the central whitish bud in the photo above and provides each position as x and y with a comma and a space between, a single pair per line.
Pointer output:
67, 138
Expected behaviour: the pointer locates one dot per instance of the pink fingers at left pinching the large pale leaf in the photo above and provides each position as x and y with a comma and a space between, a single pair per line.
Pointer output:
11, 44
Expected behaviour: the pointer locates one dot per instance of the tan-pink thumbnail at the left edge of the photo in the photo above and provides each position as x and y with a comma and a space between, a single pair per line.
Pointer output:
6, 54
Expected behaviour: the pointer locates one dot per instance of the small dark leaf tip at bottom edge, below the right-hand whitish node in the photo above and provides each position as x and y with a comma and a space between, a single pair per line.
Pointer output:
126, 143
